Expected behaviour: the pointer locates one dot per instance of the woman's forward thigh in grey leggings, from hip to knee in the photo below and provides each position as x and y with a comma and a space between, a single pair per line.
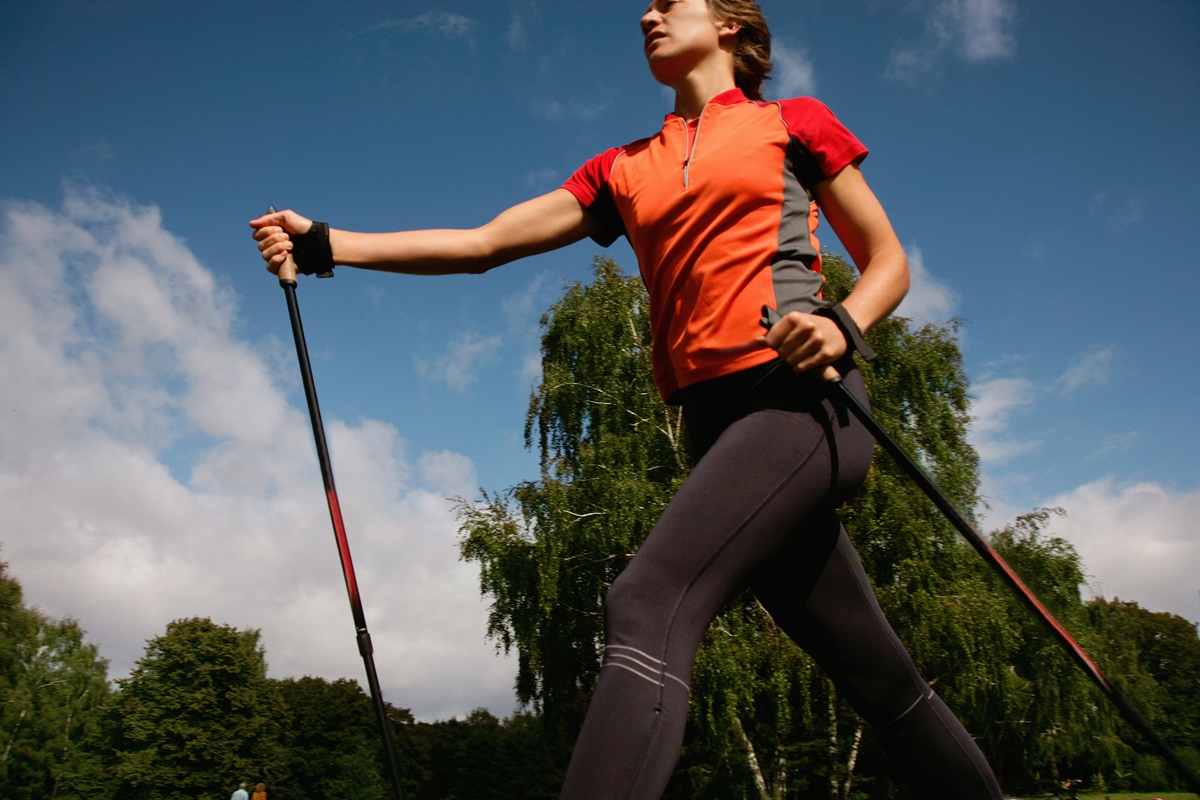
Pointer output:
752, 496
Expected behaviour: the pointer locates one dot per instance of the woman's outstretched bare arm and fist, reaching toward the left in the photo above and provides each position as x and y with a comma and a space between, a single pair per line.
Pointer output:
544, 224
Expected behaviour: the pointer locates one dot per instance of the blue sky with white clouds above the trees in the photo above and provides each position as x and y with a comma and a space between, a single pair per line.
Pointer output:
1040, 163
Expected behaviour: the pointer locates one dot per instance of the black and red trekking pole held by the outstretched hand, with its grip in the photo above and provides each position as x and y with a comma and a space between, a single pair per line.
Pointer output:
289, 281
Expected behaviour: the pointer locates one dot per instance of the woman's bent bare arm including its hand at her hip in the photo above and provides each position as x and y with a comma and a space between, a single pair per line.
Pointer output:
808, 341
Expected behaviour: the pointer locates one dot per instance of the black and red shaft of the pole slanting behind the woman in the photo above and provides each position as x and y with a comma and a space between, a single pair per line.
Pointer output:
1136, 719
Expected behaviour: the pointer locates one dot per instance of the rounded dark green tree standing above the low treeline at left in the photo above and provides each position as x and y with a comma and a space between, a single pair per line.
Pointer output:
199, 715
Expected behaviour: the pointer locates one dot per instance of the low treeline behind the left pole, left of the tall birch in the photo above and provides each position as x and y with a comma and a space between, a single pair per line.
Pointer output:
199, 715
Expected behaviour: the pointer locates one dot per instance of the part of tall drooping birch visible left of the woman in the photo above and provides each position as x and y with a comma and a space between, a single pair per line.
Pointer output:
611, 459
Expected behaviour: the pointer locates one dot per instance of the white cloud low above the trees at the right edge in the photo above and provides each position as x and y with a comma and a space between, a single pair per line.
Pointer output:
1138, 542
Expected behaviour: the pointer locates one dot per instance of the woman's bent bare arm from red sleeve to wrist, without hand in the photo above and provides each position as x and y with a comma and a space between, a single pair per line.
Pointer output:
855, 214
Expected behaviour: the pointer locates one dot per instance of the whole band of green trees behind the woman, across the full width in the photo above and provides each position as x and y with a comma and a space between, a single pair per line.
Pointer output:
199, 714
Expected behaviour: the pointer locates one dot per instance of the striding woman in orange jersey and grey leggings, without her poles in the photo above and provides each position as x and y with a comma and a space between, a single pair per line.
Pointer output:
718, 209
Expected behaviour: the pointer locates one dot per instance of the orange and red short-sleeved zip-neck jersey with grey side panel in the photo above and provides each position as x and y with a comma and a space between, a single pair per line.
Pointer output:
721, 214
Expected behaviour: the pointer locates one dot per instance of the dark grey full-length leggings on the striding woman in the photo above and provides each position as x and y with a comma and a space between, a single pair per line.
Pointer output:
758, 512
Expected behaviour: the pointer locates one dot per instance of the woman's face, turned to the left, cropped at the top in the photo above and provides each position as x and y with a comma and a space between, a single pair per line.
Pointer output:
679, 35
